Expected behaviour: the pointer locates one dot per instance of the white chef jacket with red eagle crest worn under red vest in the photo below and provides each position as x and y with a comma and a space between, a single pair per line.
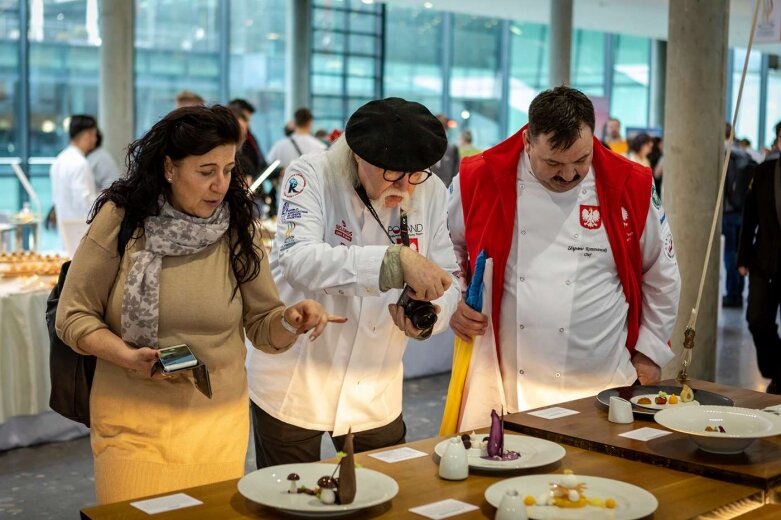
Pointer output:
564, 314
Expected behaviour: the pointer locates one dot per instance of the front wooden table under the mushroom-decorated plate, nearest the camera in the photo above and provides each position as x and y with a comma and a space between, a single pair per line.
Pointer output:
680, 495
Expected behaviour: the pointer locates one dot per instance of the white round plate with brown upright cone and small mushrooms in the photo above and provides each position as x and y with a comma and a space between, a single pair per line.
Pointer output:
269, 487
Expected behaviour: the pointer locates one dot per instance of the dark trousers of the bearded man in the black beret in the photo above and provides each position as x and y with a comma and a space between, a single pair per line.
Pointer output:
277, 442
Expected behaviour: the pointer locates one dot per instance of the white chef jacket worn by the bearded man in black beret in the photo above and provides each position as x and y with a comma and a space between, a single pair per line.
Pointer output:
328, 247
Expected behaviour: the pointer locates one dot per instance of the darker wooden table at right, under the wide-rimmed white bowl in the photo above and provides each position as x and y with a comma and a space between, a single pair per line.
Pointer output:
759, 466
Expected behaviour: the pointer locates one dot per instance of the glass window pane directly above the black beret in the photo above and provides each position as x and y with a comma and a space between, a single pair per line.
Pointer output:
413, 56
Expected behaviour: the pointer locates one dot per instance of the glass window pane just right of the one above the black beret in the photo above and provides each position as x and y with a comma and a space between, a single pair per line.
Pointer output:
475, 81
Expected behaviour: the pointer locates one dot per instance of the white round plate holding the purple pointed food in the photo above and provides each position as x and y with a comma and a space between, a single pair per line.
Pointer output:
534, 453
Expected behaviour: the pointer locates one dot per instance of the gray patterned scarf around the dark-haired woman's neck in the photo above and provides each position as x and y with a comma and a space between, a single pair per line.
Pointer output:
172, 233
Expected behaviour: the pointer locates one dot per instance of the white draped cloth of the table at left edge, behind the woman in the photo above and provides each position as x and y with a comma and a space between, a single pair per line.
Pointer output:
25, 416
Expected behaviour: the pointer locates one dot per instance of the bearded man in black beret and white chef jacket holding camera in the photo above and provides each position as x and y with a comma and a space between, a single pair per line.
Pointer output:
357, 223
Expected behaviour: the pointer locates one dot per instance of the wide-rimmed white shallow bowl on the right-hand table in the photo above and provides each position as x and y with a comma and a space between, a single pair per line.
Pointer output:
742, 426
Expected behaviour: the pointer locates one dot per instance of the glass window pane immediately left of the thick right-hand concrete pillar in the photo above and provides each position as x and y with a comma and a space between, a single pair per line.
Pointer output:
629, 99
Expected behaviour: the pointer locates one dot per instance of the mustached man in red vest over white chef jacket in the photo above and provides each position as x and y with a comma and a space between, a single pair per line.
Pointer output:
587, 291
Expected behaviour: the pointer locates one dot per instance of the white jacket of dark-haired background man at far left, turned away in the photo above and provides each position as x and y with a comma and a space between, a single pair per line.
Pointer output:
73, 186
